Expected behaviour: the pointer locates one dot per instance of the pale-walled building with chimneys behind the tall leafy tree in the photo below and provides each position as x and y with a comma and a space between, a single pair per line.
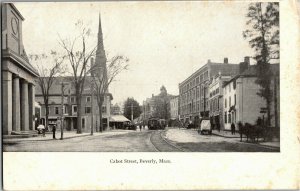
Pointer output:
241, 102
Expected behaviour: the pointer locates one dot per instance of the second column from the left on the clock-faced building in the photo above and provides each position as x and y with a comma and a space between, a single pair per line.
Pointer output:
16, 120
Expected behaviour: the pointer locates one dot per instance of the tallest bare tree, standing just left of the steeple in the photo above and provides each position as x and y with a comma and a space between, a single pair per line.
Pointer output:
78, 55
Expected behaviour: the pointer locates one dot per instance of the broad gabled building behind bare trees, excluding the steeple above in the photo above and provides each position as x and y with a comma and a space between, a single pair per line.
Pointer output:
70, 109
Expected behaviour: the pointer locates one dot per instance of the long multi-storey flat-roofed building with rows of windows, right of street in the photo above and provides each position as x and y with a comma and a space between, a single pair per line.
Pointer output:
194, 93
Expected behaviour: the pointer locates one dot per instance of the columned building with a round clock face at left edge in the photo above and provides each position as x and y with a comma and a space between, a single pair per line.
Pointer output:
18, 75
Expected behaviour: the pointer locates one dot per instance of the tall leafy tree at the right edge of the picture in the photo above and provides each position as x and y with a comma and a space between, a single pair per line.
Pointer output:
263, 35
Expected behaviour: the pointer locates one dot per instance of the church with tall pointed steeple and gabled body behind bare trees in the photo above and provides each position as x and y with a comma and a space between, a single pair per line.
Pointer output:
89, 107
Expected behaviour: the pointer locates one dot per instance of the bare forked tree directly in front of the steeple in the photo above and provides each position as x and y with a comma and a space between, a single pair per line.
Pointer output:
102, 78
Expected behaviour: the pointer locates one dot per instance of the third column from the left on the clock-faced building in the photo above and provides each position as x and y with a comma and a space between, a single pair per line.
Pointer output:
24, 107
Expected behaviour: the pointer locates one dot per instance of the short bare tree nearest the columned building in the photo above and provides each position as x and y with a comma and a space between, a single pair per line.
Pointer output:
47, 74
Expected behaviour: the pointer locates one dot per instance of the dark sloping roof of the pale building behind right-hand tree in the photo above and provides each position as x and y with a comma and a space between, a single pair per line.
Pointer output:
251, 72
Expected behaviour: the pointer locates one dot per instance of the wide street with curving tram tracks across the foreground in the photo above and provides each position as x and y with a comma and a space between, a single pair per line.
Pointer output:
171, 140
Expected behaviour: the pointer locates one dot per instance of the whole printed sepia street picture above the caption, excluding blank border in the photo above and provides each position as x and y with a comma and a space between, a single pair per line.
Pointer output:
103, 78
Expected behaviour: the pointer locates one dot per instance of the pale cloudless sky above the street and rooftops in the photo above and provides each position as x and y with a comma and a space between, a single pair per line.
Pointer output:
165, 41
